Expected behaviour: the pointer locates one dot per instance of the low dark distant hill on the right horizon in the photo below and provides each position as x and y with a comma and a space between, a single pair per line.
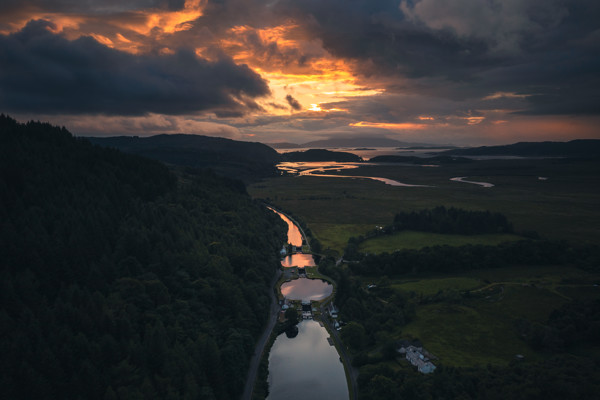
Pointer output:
574, 148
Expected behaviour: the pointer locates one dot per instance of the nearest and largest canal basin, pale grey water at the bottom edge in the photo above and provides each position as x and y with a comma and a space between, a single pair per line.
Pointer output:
306, 367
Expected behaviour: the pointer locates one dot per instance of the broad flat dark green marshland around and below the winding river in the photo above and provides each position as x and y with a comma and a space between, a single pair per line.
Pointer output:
562, 207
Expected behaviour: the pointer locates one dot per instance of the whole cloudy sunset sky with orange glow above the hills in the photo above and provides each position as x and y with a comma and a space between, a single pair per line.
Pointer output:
462, 72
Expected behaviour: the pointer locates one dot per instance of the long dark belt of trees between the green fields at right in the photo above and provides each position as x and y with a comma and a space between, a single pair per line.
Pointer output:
449, 259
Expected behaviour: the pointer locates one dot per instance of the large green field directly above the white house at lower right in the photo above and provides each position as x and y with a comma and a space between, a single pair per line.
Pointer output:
482, 331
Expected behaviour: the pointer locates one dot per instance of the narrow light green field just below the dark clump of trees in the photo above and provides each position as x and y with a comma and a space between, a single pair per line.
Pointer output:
416, 240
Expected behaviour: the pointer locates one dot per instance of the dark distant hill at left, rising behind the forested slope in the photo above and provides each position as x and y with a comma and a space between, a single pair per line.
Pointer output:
244, 160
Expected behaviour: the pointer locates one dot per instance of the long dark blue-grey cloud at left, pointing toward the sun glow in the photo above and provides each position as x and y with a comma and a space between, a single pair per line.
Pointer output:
41, 71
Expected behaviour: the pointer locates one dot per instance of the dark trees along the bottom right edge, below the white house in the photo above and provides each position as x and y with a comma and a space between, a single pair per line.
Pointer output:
558, 377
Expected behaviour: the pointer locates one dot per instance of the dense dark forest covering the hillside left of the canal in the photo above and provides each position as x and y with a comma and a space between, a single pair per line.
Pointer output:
120, 281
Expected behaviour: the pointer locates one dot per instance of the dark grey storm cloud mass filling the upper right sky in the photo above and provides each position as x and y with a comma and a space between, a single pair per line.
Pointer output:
461, 49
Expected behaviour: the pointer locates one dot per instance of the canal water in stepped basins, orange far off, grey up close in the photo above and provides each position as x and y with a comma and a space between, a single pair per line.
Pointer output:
306, 366
